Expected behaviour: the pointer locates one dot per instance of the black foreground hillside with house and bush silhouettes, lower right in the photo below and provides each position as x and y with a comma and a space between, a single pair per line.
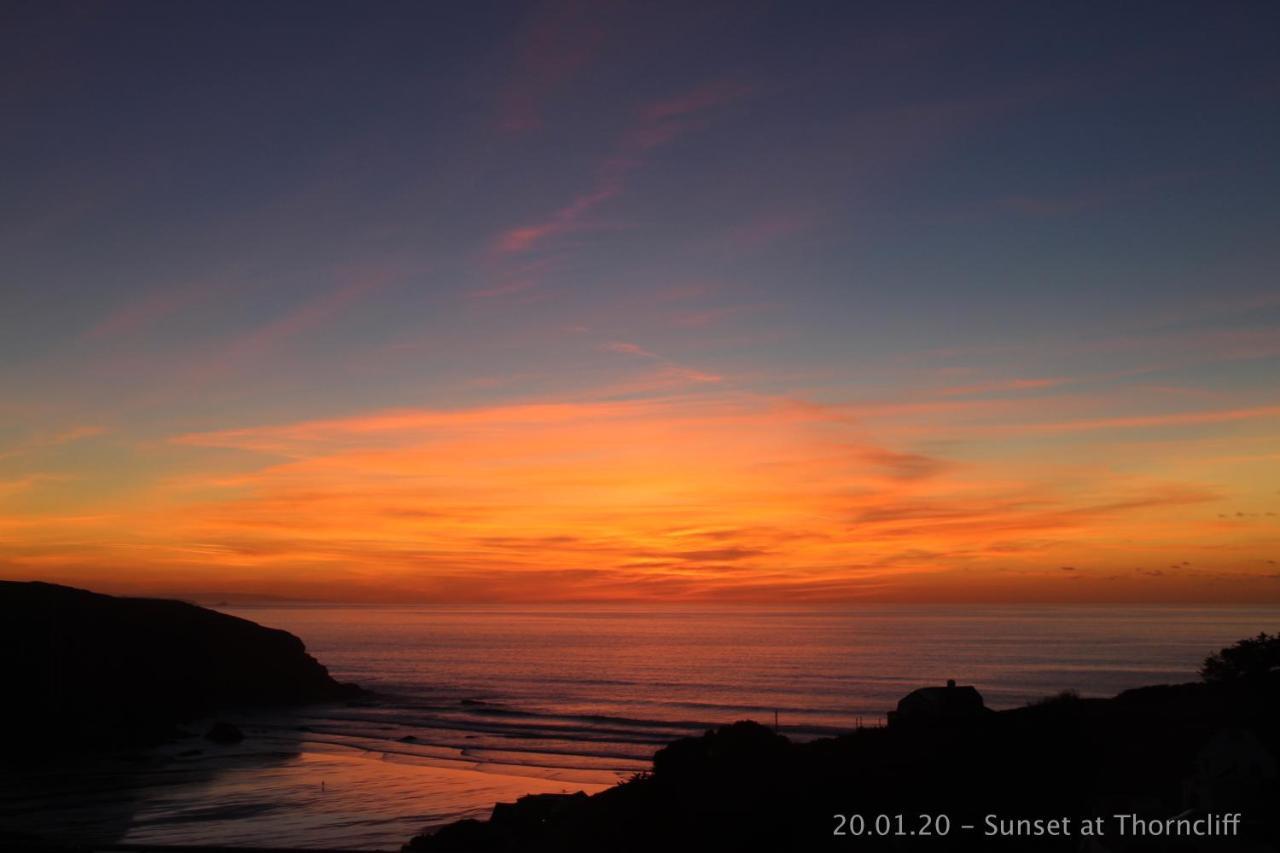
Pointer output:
1156, 752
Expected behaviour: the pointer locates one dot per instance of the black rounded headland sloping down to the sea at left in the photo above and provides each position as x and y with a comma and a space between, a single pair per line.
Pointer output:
86, 670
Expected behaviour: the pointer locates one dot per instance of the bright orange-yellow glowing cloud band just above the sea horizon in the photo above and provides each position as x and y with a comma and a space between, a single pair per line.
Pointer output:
716, 496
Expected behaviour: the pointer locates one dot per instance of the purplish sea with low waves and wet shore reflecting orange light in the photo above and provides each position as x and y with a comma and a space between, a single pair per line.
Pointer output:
483, 705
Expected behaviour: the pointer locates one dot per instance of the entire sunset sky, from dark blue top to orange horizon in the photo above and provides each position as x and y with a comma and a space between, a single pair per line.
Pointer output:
772, 303
